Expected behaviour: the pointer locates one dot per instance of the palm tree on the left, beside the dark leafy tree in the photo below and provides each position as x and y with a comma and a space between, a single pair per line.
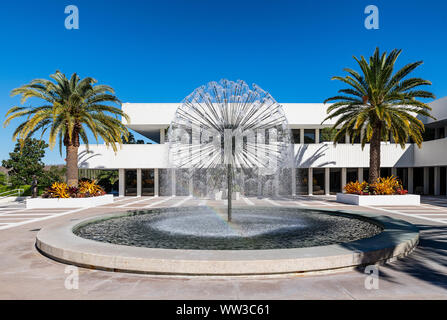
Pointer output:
70, 107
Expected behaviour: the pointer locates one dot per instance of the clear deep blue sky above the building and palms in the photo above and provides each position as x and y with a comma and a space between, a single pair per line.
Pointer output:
159, 51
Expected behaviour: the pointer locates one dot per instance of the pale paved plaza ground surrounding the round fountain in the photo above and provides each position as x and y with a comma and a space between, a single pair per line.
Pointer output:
26, 274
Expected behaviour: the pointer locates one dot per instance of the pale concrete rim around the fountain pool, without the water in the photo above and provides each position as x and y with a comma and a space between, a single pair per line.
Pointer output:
397, 240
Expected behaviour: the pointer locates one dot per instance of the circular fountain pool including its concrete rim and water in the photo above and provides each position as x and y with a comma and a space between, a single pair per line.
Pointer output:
259, 241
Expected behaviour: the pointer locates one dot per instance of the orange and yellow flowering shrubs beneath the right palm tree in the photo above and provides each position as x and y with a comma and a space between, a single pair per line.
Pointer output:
383, 186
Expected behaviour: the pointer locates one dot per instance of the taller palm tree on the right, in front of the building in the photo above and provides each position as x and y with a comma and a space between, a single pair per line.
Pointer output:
378, 103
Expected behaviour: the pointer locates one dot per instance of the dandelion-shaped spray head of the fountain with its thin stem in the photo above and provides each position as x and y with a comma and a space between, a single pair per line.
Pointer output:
228, 126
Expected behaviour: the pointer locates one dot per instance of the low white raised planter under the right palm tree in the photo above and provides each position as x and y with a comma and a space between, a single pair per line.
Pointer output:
379, 200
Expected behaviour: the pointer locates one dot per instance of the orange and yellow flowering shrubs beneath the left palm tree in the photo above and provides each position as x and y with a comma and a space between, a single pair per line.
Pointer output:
86, 189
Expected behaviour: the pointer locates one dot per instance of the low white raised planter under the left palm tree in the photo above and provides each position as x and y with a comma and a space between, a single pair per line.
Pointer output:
38, 203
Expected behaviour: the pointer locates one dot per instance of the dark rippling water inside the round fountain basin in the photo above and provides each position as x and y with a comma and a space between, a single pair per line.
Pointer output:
204, 228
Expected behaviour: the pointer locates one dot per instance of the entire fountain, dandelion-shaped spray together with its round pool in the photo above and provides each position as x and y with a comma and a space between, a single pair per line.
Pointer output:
228, 134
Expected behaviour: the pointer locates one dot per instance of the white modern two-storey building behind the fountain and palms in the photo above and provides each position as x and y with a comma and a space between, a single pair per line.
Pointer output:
321, 168
